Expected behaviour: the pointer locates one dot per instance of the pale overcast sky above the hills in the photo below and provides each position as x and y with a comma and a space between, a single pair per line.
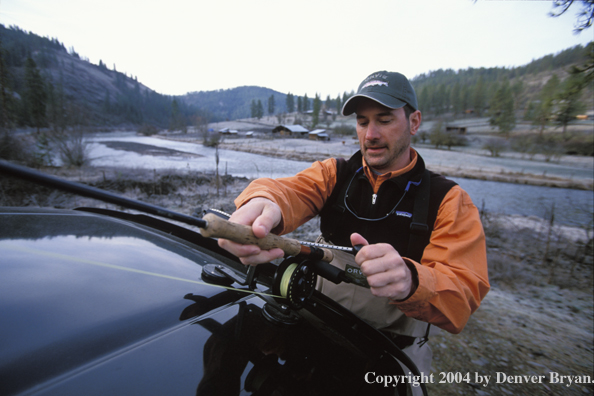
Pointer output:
306, 46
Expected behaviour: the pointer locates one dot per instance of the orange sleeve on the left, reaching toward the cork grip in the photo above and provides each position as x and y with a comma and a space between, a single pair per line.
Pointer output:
300, 197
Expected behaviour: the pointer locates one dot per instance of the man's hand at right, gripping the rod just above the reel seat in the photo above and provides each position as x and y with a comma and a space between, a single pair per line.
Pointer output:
386, 272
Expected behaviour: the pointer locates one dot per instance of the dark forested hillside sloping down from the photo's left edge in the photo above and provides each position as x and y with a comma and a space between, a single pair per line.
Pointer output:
39, 75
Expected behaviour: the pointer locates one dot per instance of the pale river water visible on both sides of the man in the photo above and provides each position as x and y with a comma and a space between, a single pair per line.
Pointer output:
572, 207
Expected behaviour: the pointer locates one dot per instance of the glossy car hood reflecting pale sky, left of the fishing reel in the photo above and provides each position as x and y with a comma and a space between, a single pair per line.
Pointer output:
77, 286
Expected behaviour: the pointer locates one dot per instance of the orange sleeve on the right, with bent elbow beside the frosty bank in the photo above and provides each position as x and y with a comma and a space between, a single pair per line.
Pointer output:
452, 275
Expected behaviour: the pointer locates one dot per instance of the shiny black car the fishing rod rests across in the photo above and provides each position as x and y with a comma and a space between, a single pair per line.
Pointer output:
97, 302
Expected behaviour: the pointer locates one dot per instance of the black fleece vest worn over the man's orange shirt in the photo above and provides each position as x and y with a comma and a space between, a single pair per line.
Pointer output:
395, 196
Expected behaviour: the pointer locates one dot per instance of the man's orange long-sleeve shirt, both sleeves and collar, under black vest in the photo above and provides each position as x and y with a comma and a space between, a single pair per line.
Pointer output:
452, 274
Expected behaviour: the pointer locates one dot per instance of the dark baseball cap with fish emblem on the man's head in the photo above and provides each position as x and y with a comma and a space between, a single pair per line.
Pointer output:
390, 89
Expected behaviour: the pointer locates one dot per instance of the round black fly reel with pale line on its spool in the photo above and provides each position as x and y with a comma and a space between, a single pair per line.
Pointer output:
294, 281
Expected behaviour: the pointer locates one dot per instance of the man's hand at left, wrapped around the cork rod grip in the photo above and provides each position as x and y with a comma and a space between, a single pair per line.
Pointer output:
263, 215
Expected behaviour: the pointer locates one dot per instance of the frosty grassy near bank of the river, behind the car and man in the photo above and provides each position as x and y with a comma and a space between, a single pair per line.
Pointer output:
537, 318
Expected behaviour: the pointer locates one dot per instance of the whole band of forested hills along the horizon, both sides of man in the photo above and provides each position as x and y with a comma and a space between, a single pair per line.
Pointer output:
46, 85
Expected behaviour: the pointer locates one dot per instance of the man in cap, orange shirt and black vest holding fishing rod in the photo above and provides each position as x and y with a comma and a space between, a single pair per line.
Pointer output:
424, 252
